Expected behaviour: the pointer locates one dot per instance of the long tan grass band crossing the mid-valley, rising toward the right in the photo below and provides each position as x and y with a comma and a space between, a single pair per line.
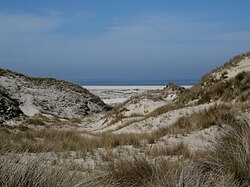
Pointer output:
60, 140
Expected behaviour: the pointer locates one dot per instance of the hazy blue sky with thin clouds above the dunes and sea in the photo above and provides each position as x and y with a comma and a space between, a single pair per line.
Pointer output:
121, 39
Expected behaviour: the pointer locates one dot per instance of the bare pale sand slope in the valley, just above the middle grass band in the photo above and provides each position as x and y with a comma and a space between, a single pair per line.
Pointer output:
102, 123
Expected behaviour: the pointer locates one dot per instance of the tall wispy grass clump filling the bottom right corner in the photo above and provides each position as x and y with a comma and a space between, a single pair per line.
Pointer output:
227, 162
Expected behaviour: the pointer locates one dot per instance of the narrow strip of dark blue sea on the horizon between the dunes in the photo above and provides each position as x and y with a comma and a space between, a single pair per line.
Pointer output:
186, 82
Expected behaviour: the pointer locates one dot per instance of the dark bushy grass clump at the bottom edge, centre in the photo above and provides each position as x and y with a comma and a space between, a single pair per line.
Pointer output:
139, 171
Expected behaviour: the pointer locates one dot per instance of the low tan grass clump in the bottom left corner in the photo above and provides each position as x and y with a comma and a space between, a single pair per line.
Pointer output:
15, 172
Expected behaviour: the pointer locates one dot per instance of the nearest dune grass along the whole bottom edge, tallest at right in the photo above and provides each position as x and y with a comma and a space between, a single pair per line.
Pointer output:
225, 163
